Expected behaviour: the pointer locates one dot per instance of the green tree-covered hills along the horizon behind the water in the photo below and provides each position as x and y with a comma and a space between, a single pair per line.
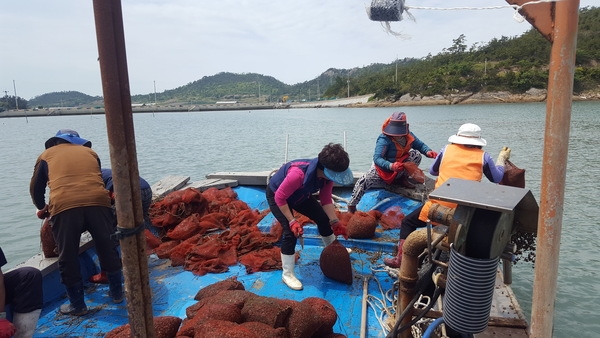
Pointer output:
513, 64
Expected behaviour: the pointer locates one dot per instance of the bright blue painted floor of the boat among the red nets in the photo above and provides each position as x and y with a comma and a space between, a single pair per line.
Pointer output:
173, 288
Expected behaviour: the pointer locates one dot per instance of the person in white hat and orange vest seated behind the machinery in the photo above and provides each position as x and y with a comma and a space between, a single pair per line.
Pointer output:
463, 158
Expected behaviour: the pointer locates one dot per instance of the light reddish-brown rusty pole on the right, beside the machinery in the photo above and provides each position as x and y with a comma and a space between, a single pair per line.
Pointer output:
556, 144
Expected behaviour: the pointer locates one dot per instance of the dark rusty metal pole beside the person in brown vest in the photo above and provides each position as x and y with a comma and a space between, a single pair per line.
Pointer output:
121, 138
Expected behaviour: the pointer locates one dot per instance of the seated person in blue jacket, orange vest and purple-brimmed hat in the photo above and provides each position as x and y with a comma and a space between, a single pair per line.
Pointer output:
395, 146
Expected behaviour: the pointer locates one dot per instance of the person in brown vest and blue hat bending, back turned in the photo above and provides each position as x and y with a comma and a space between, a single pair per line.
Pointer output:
78, 202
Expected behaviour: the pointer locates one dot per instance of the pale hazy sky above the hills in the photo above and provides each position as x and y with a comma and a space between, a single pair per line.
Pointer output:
50, 46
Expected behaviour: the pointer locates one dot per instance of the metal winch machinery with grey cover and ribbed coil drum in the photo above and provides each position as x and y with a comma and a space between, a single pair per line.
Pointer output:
477, 234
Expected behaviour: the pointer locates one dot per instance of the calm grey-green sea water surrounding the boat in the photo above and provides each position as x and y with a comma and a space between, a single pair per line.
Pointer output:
199, 143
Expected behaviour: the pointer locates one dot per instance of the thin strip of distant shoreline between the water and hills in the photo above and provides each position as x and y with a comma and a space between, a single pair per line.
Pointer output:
363, 101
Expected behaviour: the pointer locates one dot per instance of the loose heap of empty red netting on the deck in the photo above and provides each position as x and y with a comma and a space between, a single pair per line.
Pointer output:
212, 230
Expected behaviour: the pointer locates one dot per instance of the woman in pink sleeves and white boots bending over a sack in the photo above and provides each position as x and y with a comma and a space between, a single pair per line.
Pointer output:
291, 189
